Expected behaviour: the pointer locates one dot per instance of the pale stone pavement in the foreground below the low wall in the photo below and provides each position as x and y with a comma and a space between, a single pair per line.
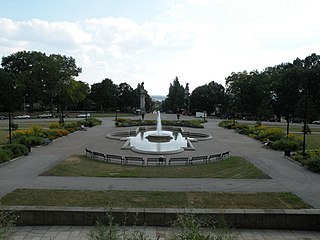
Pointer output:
154, 233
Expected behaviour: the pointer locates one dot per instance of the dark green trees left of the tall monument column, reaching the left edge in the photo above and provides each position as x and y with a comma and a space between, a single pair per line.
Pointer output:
48, 83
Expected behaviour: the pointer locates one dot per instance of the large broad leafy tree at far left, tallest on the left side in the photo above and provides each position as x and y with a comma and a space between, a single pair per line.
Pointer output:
43, 79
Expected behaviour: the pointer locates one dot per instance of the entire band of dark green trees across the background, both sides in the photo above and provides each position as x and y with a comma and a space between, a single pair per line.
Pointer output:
290, 90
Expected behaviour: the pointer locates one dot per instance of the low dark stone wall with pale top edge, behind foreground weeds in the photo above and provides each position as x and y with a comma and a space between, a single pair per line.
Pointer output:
306, 219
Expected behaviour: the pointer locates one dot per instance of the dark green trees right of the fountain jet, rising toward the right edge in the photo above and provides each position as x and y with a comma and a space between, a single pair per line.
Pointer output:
289, 90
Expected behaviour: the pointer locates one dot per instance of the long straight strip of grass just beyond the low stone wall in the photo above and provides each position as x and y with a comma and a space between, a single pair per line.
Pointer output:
134, 199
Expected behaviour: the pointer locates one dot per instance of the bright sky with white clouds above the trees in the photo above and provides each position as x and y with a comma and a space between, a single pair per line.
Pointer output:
154, 41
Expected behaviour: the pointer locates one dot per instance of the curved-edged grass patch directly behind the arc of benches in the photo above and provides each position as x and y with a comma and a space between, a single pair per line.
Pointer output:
233, 167
